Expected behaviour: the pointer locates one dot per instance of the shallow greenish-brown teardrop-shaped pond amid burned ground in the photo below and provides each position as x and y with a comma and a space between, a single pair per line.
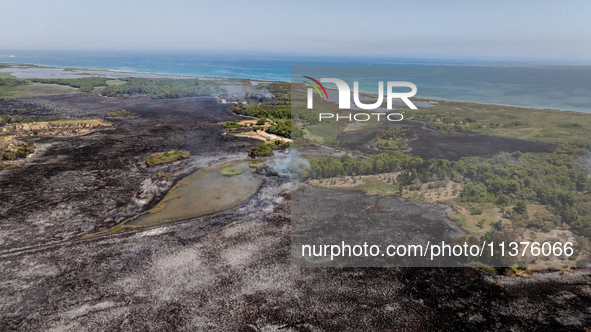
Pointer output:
203, 192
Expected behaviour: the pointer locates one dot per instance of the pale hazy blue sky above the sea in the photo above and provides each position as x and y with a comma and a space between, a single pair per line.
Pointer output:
512, 30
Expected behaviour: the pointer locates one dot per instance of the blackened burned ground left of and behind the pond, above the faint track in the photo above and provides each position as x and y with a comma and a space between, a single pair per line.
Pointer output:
83, 184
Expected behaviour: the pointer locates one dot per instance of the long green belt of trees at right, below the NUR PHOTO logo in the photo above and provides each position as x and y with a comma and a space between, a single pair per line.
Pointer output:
557, 180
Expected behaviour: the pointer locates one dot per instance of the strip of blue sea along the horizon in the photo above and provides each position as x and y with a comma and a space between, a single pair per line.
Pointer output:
516, 83
